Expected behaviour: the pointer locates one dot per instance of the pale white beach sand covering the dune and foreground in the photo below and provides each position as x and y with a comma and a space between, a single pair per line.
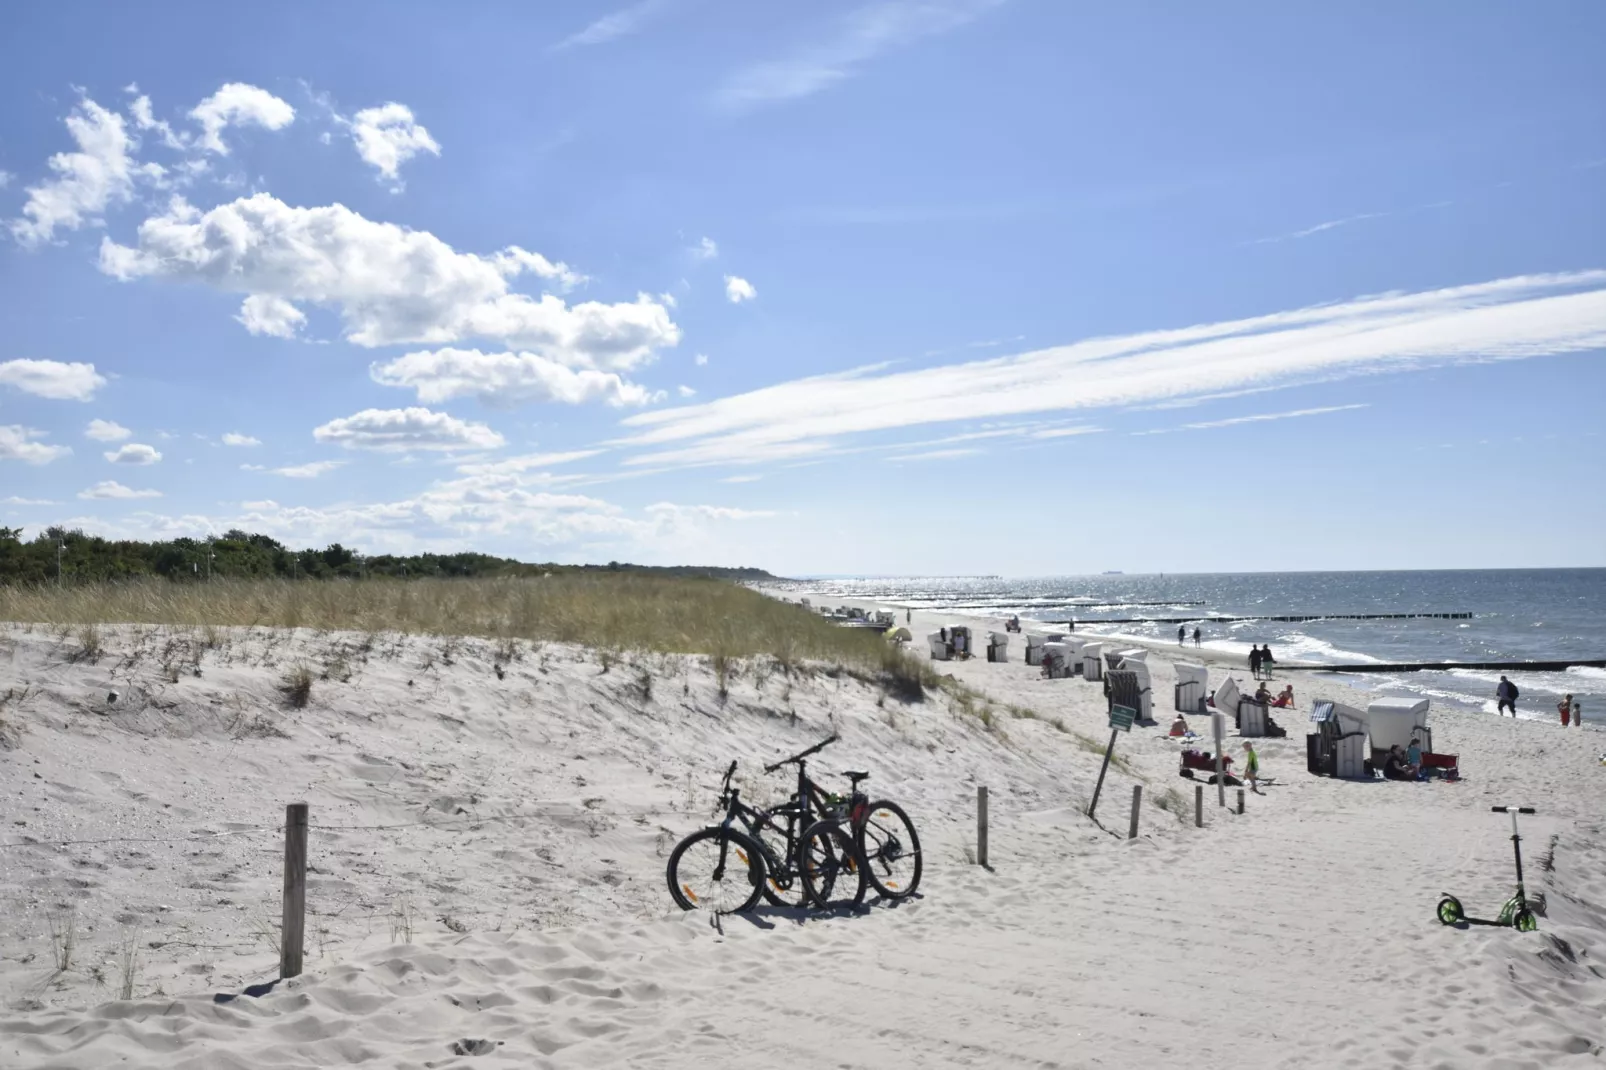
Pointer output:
539, 811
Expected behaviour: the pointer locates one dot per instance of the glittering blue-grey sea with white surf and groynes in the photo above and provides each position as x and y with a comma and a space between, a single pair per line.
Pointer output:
1518, 615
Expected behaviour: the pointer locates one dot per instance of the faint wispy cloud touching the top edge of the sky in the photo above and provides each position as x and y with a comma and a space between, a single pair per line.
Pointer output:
862, 36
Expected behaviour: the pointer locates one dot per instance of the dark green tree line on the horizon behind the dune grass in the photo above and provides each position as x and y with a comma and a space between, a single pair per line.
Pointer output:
73, 557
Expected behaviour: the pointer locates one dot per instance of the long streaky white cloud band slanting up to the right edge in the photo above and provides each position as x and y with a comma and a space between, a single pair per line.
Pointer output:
1502, 321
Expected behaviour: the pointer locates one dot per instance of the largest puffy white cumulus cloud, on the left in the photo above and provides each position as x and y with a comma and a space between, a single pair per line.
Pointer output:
389, 284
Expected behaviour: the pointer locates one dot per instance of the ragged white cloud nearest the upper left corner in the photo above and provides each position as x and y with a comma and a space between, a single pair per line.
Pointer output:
88, 182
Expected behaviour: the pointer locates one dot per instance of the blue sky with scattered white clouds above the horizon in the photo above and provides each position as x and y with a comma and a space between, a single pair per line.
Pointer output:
939, 287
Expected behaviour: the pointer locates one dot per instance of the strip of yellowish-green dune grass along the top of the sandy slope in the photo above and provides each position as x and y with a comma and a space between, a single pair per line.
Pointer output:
605, 611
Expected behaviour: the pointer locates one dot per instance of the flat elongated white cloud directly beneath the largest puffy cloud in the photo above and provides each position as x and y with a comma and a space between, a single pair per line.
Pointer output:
503, 380
